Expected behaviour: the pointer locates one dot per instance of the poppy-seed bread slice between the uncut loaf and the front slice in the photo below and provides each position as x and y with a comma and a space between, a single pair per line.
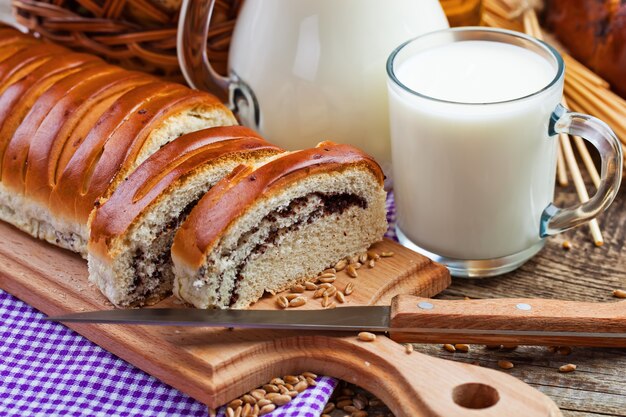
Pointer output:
132, 231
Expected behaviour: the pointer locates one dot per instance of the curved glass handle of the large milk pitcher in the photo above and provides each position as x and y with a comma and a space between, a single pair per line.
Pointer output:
191, 41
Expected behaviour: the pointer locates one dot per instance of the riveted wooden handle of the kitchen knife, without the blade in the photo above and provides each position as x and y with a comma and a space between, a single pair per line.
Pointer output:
554, 322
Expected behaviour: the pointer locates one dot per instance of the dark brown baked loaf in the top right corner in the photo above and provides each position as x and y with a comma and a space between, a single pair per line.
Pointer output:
594, 32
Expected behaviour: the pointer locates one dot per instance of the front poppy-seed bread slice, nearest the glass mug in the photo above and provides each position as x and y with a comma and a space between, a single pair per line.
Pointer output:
265, 229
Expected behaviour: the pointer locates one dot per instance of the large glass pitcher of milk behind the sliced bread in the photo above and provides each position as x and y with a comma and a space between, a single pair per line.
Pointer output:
302, 71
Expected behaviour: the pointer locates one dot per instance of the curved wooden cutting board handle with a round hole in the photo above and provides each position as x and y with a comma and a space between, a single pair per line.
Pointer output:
411, 385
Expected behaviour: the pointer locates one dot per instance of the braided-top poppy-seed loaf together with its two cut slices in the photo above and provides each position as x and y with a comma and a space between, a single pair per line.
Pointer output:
153, 184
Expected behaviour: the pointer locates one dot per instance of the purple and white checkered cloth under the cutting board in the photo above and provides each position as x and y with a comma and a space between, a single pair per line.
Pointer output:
49, 370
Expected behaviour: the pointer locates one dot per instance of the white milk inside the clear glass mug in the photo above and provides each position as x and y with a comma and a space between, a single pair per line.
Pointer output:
471, 181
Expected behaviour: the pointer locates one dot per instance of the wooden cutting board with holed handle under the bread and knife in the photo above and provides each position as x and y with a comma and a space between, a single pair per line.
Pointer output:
217, 365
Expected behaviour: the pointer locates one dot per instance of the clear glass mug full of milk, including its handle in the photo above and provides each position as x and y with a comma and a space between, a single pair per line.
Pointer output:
474, 115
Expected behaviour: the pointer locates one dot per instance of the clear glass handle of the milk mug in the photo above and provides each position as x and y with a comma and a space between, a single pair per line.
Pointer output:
556, 220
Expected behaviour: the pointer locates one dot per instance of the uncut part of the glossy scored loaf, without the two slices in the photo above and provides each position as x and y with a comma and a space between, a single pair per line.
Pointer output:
73, 127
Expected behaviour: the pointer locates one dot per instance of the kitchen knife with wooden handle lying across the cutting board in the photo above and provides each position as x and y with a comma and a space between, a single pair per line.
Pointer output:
413, 319
